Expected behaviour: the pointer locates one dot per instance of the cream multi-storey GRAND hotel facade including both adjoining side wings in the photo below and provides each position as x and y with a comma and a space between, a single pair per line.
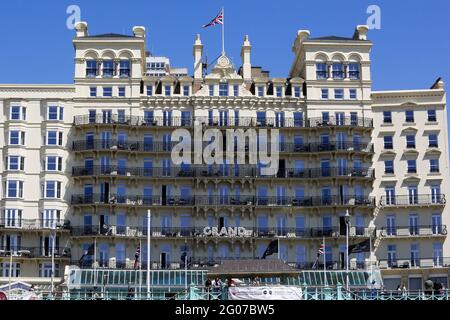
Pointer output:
94, 157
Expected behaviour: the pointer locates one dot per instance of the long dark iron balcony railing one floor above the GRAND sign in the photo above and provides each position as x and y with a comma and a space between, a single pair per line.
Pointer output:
205, 200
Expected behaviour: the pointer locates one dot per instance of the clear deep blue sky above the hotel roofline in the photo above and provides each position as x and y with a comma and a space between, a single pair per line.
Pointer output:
410, 51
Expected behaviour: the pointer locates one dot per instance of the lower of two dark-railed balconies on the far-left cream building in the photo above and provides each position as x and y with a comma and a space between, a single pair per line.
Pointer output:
35, 253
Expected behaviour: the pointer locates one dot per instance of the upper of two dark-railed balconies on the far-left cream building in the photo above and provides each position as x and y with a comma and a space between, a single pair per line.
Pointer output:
33, 224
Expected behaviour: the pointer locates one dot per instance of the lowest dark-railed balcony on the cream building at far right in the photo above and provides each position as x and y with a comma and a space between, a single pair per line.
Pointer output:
435, 262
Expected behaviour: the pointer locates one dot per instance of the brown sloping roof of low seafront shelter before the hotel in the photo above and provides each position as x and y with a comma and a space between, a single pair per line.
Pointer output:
256, 267
